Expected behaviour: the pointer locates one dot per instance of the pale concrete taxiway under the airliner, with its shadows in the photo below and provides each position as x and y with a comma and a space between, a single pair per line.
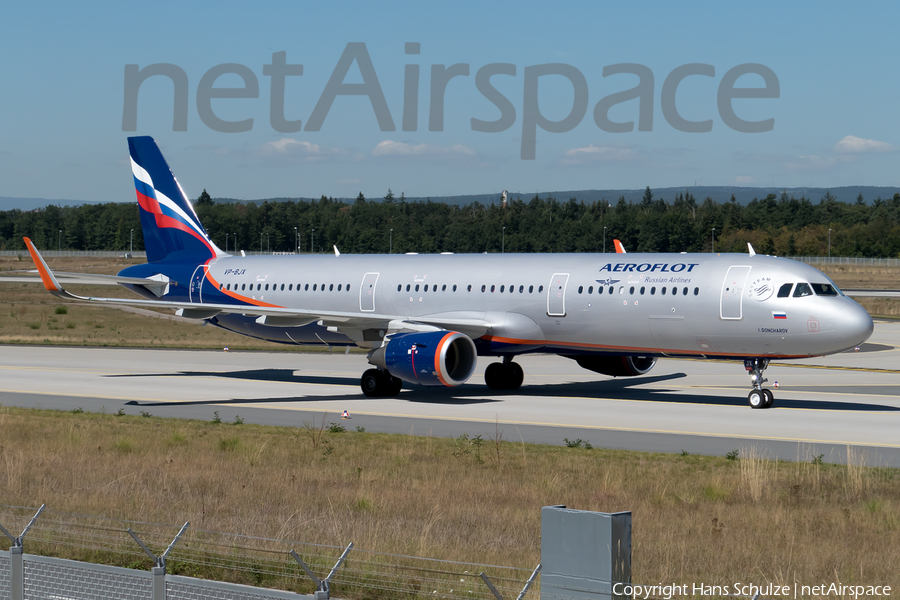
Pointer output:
822, 405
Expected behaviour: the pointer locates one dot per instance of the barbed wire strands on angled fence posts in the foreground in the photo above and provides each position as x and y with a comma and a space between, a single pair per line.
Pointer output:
255, 557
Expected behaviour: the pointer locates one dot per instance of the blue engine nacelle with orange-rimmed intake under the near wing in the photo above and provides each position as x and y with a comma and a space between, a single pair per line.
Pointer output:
428, 358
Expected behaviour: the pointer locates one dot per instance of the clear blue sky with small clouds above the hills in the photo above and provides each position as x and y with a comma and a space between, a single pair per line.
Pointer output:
63, 91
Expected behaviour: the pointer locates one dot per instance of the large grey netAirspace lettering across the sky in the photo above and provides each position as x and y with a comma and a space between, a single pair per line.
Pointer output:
553, 78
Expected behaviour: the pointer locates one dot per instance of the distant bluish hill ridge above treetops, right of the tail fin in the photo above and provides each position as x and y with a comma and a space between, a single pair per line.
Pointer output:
743, 195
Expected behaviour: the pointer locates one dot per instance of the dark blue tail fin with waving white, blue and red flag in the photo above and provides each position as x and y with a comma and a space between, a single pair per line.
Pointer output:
172, 231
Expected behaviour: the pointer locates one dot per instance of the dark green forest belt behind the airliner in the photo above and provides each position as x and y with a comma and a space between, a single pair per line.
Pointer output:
784, 226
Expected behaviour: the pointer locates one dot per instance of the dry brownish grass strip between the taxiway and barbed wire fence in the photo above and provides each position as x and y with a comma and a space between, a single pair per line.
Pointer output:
695, 518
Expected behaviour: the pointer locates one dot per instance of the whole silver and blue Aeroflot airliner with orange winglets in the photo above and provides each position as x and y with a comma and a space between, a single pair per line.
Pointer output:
426, 318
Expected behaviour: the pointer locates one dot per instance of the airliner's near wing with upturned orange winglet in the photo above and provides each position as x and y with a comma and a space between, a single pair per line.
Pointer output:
271, 315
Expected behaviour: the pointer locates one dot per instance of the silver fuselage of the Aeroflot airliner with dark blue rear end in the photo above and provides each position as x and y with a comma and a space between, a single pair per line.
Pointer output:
702, 305
